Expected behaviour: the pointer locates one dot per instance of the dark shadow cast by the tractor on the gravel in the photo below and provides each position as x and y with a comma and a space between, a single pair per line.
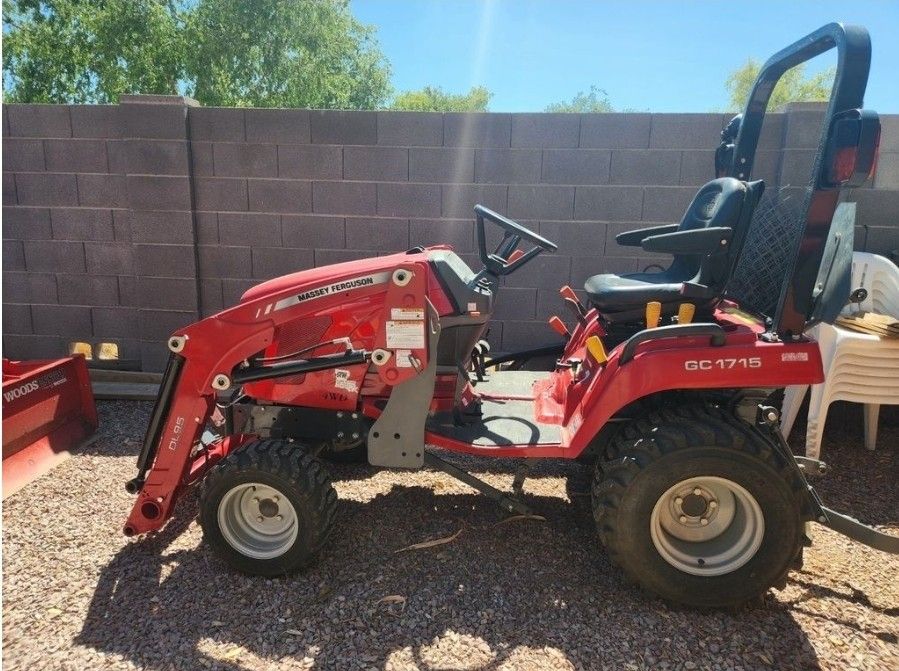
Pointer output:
522, 594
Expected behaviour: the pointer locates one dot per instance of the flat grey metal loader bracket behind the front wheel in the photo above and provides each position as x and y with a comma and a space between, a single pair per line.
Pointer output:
396, 439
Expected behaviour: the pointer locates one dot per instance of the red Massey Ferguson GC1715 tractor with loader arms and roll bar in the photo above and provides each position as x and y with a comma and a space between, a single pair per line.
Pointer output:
665, 380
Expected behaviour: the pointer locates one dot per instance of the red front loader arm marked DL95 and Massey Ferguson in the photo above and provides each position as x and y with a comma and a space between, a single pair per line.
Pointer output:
220, 352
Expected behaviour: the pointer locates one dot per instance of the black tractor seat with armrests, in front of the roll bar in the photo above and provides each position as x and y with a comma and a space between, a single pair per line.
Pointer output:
704, 245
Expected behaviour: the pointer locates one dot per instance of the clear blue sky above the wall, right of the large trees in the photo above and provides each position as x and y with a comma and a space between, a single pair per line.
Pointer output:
655, 56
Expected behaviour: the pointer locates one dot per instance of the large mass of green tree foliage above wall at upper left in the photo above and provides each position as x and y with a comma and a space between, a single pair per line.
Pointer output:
265, 53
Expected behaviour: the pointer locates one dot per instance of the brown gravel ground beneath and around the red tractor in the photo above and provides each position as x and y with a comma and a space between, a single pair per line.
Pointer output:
521, 595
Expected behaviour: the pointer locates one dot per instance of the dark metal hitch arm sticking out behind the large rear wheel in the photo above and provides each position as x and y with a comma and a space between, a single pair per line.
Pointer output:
769, 418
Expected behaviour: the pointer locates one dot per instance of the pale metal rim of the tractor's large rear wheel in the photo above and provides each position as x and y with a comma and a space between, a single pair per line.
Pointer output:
707, 526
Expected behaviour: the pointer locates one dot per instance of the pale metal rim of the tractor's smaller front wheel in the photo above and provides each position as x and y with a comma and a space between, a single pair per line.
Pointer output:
258, 520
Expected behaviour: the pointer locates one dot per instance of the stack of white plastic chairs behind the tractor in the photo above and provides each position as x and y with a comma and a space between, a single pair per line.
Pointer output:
858, 367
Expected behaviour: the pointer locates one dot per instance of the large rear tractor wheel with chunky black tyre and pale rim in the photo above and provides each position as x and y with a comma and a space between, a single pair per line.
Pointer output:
698, 507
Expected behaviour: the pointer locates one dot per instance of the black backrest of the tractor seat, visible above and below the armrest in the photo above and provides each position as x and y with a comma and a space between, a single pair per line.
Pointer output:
717, 203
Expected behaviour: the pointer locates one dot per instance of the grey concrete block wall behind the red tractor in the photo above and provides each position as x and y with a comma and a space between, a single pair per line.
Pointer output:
123, 222
